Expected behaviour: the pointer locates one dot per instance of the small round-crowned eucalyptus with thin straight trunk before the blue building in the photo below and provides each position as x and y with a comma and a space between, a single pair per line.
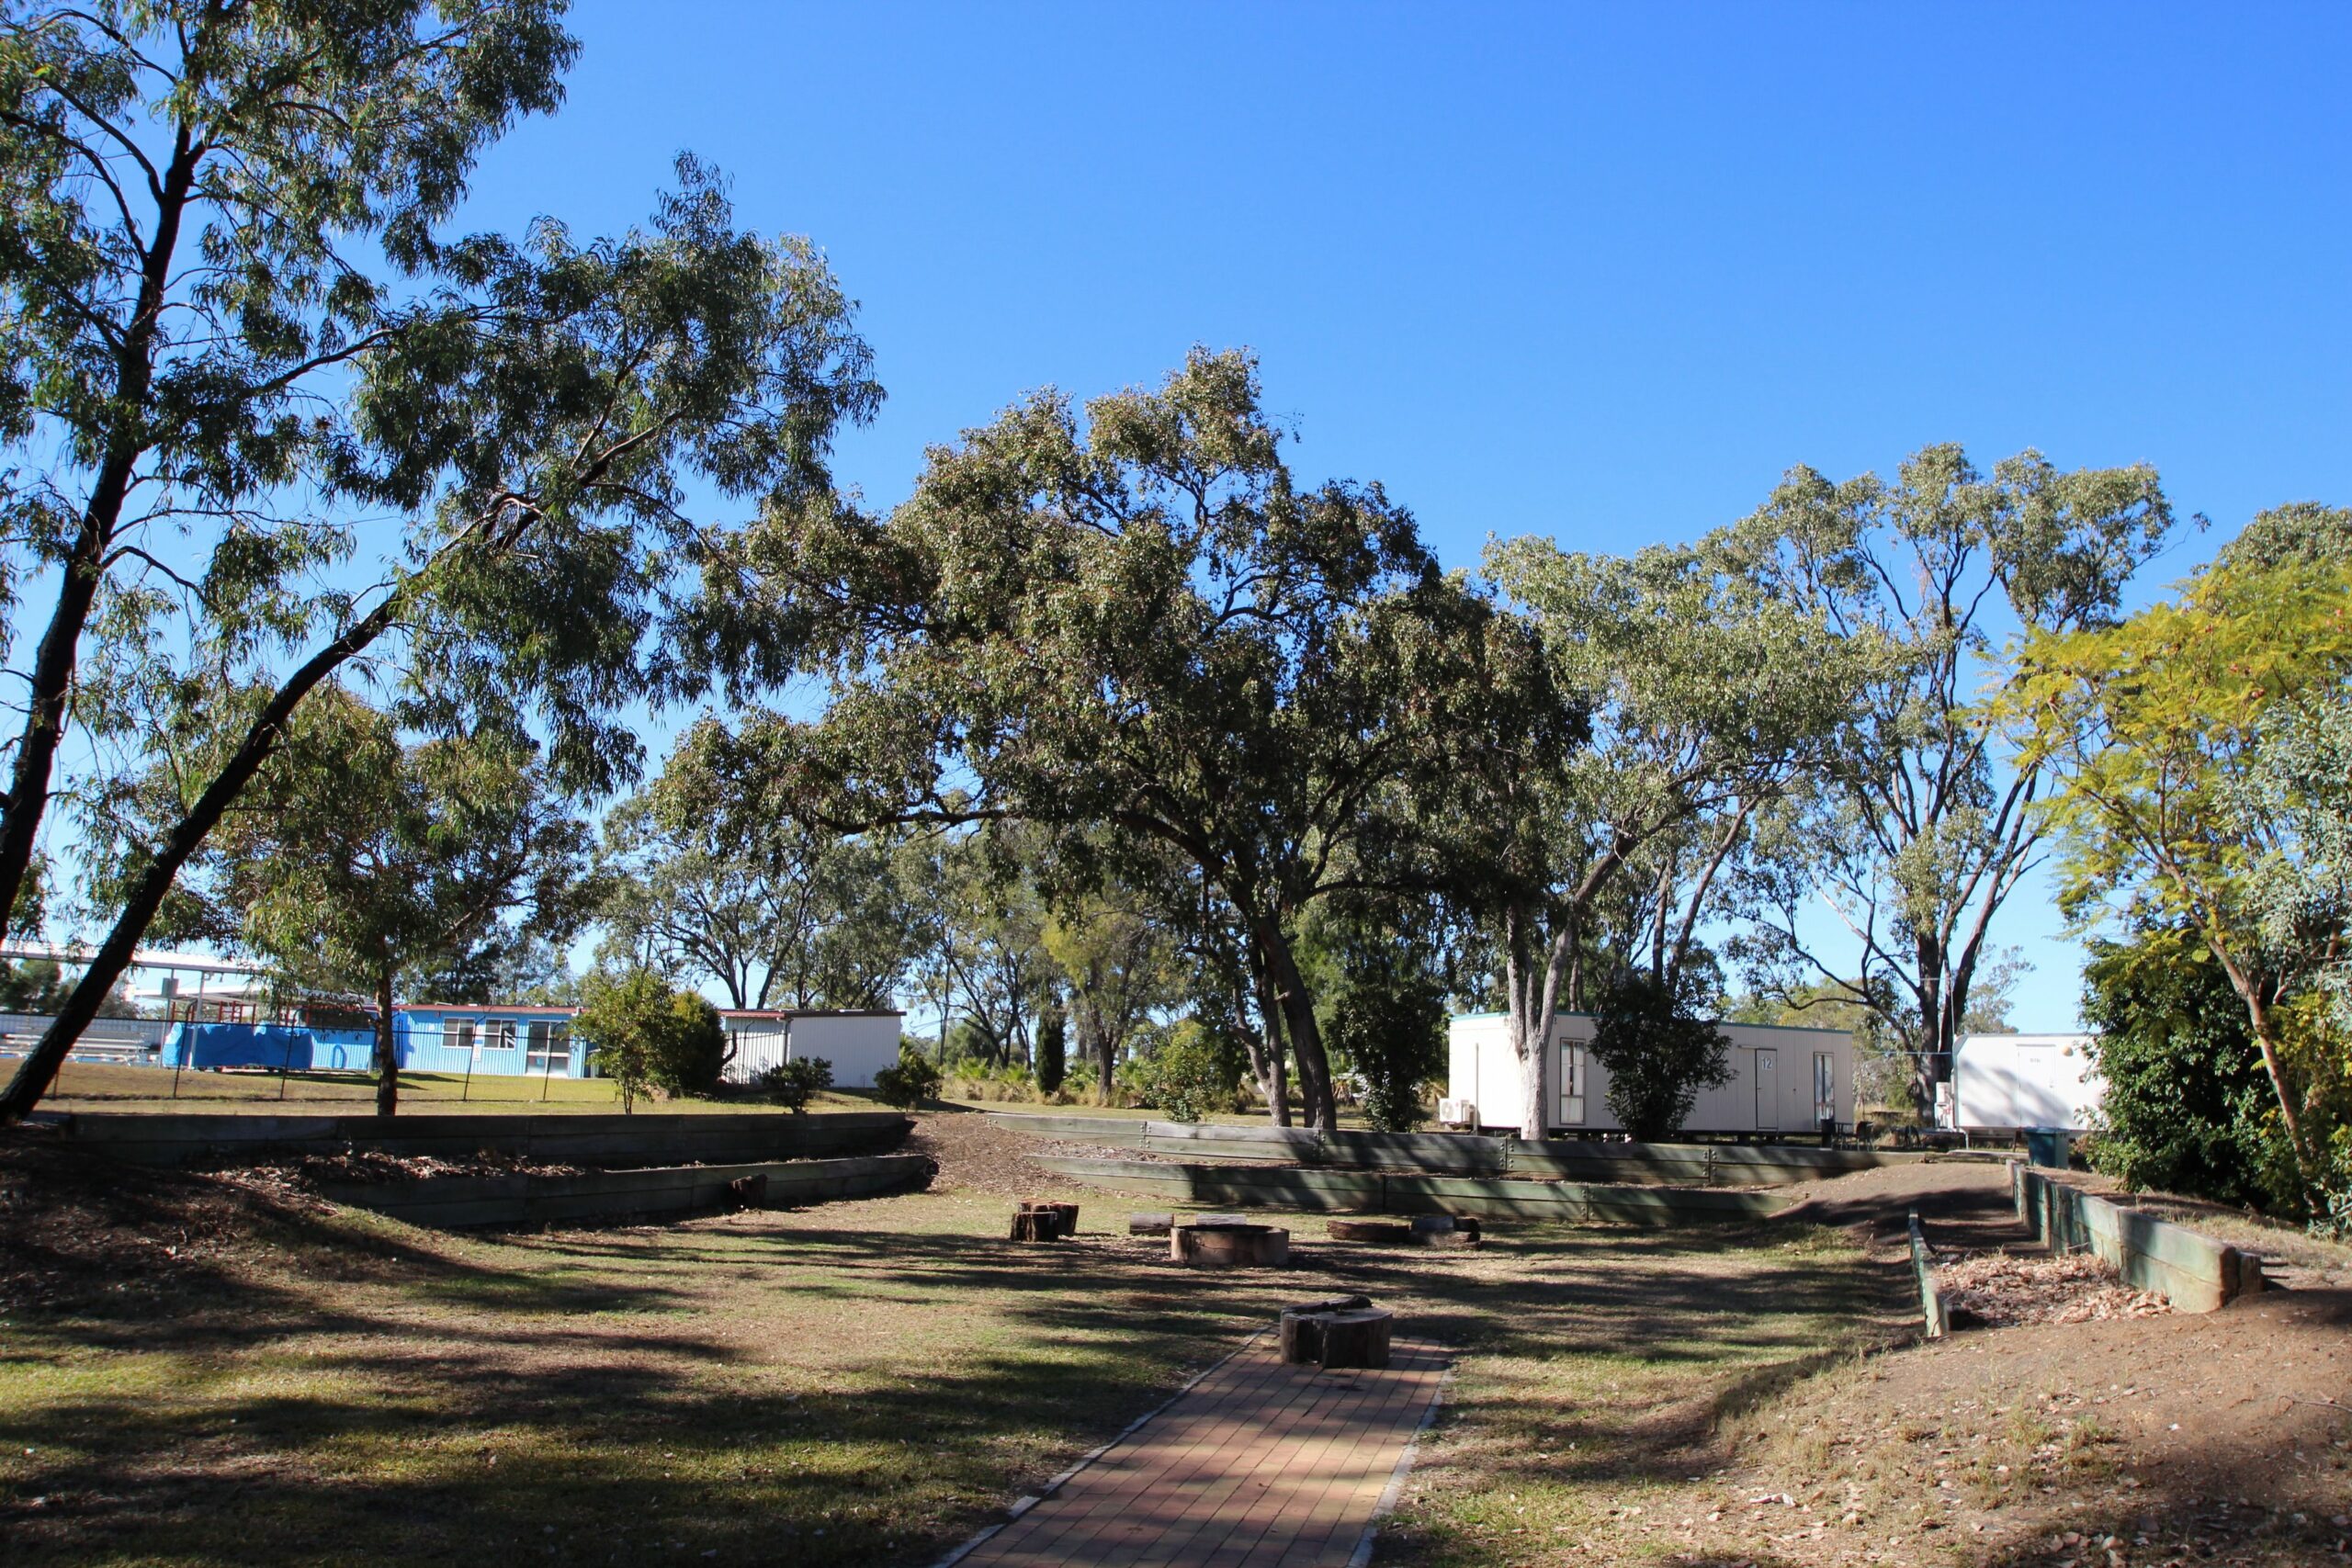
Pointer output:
363, 862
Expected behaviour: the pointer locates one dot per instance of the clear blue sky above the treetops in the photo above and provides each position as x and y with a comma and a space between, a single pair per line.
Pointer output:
1593, 274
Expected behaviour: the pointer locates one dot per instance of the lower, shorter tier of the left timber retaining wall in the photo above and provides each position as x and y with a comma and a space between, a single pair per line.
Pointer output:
462, 1202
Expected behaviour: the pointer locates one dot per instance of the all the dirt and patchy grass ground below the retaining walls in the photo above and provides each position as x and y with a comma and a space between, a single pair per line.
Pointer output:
737, 1388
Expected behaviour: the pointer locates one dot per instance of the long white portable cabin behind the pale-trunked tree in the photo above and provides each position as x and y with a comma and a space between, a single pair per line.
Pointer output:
1782, 1080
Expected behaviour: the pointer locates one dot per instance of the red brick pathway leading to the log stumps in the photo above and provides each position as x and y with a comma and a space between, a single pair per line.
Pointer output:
1259, 1466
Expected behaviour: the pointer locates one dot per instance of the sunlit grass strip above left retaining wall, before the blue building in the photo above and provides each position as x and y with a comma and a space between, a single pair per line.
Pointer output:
152, 1090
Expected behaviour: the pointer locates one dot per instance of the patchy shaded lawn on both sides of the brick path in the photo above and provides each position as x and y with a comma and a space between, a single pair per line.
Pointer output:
860, 1383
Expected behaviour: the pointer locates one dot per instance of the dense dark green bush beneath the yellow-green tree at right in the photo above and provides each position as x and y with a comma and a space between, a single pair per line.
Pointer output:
2186, 1106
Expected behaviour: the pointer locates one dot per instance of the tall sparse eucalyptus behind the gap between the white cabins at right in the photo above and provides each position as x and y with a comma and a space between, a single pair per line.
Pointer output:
1923, 819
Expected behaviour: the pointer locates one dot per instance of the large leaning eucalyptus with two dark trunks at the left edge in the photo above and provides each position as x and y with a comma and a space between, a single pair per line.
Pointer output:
239, 335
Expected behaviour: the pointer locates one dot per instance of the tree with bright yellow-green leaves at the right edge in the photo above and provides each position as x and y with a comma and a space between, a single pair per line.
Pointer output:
2165, 730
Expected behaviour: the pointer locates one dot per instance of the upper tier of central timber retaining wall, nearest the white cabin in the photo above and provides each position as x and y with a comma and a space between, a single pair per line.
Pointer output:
1681, 1165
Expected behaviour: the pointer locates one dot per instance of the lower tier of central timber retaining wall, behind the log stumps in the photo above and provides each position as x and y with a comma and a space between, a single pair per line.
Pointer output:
1229, 1186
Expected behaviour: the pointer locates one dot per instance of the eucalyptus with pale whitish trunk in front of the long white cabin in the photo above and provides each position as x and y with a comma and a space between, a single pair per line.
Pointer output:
1702, 699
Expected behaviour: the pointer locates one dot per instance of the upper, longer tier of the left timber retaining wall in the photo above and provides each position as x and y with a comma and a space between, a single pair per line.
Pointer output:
650, 1139
